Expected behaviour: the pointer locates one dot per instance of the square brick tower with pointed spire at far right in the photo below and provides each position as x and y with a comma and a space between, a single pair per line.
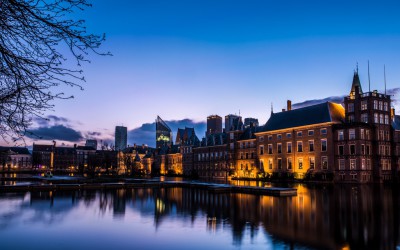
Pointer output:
370, 112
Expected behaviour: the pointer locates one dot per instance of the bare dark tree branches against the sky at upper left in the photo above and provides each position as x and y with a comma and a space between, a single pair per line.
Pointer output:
37, 39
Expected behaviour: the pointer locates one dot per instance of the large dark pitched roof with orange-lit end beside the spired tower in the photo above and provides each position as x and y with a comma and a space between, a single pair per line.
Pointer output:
315, 114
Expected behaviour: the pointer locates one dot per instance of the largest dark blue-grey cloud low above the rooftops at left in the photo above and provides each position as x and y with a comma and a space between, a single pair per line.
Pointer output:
57, 132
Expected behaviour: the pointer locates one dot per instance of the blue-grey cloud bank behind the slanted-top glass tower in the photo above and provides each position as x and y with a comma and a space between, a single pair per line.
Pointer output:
146, 134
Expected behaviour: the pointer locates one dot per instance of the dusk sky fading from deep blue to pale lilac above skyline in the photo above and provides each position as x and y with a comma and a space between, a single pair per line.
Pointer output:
185, 60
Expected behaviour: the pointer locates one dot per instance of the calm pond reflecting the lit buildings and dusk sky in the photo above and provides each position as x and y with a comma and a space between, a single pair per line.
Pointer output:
319, 217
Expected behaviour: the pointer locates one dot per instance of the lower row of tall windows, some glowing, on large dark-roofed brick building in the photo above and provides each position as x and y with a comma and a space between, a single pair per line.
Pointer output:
289, 163
